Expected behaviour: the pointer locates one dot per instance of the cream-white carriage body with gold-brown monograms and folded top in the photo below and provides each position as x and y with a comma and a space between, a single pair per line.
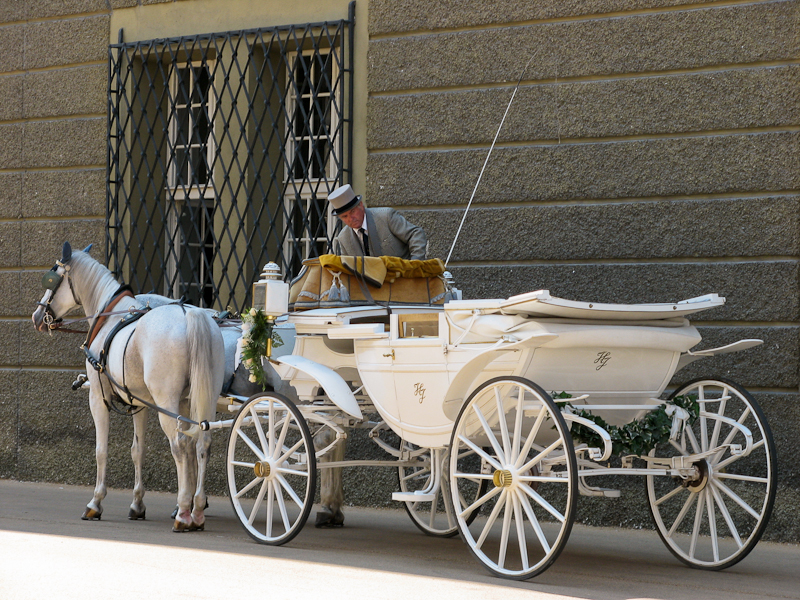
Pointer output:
418, 365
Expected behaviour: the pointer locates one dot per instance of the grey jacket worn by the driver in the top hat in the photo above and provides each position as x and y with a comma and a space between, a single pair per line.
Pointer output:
390, 234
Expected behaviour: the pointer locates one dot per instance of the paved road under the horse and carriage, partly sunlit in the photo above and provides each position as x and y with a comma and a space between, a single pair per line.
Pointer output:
47, 552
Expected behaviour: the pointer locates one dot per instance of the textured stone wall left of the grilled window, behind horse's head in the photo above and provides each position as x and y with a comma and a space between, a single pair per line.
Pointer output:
53, 82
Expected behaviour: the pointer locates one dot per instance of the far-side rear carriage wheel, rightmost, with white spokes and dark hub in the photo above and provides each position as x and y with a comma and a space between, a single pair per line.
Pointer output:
714, 520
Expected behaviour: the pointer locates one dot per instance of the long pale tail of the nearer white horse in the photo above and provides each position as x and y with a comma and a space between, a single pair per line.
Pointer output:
206, 364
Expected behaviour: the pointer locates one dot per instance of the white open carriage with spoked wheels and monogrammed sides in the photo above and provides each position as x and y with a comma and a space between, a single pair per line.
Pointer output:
467, 411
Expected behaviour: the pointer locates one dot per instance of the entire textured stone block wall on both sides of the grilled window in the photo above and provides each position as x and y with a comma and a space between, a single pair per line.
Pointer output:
652, 153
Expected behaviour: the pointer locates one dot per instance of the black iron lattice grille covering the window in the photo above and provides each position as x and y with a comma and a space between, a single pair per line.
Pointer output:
222, 149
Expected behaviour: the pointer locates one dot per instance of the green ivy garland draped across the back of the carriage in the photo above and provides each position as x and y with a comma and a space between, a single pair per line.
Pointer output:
637, 437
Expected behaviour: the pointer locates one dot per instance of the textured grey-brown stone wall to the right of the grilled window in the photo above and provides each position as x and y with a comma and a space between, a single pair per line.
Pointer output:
652, 153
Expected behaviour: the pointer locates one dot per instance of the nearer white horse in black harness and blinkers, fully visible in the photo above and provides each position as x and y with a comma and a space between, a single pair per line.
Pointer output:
172, 358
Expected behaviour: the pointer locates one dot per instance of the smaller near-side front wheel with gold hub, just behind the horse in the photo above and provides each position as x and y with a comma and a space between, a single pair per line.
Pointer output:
272, 474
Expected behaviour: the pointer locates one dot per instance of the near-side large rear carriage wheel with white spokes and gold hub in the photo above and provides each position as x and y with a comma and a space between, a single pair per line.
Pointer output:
525, 516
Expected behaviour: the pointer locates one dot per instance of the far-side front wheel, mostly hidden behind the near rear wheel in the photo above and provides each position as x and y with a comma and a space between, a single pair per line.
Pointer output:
436, 518
